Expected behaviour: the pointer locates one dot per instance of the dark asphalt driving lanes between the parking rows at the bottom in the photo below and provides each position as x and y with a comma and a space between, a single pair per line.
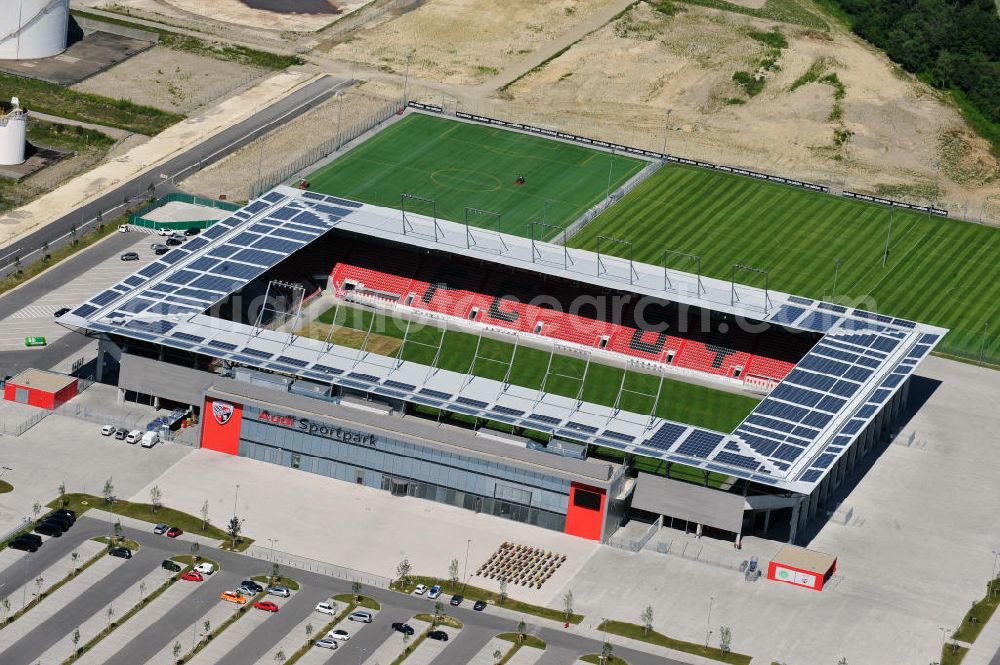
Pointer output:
563, 647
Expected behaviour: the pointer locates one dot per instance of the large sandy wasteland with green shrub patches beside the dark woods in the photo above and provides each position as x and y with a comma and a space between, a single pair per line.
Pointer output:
646, 78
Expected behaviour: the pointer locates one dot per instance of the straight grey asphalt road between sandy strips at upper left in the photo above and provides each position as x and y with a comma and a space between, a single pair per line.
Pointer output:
212, 149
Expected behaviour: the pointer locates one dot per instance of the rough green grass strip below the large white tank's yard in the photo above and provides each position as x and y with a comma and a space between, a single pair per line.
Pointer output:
66, 103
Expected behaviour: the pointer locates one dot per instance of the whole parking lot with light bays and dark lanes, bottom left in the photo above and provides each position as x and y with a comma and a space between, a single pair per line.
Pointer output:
155, 614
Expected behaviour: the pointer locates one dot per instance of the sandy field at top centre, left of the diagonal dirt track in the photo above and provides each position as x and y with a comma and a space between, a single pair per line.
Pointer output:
462, 41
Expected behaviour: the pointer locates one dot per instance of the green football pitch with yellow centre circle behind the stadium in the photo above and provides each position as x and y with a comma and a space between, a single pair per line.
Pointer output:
460, 165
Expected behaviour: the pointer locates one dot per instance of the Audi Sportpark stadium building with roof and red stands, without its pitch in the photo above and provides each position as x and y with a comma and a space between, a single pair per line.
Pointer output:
180, 331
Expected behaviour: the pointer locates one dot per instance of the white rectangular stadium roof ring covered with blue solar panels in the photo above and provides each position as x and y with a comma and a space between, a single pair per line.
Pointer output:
790, 440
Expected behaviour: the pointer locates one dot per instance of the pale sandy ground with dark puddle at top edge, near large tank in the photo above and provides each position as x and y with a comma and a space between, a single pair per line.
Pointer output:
310, 17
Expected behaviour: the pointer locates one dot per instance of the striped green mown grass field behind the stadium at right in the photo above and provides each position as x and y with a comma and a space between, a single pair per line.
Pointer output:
940, 271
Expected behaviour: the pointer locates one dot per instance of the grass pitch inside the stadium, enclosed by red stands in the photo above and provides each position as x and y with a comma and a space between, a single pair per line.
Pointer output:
684, 402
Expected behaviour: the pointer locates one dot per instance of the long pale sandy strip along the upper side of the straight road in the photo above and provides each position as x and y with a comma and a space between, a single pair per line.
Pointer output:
145, 158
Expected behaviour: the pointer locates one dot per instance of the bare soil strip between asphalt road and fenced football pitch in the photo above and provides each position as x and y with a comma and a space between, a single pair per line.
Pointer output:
234, 175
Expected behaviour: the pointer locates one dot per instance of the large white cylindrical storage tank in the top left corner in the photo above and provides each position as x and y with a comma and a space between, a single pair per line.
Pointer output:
33, 28
